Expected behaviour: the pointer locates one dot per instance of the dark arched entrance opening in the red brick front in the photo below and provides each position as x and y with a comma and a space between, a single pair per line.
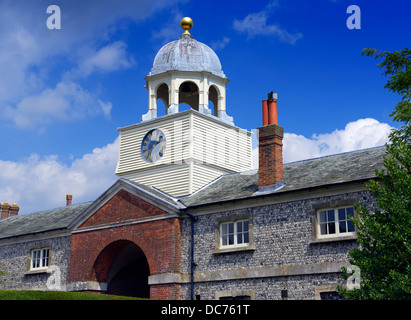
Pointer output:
124, 267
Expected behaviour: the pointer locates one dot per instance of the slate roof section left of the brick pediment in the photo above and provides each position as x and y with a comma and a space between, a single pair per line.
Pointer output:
42, 221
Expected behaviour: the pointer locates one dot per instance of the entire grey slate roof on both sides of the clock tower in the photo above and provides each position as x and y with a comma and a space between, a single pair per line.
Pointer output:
329, 170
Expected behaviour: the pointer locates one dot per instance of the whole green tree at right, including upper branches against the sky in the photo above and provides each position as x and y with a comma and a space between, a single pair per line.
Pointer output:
384, 234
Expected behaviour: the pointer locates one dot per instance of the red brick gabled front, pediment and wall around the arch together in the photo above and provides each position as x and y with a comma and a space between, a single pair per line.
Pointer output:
93, 251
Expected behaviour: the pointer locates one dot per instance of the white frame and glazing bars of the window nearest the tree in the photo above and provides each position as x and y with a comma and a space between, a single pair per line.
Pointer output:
336, 216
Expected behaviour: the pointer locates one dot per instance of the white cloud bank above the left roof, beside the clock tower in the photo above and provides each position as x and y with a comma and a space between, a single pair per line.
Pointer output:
39, 183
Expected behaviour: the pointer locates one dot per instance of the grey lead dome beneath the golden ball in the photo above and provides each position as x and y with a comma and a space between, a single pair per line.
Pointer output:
187, 54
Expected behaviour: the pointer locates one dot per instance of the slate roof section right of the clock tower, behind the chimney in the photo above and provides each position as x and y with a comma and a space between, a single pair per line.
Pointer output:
328, 170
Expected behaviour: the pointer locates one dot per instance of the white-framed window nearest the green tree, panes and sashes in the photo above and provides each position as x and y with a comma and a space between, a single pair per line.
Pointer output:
335, 222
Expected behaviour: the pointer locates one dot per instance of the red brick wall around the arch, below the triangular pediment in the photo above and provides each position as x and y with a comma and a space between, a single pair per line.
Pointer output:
93, 252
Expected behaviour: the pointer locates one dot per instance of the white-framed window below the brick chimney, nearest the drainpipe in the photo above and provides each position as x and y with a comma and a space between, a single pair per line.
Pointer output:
234, 233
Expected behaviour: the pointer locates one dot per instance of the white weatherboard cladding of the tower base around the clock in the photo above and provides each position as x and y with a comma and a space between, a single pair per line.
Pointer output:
199, 149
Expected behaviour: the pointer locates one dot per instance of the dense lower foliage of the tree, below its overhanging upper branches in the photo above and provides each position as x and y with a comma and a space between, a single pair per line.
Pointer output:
384, 234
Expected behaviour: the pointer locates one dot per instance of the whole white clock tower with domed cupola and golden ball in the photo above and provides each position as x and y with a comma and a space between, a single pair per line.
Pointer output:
182, 151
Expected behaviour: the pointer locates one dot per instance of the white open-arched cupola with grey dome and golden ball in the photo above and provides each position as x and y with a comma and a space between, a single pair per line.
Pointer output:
187, 71
